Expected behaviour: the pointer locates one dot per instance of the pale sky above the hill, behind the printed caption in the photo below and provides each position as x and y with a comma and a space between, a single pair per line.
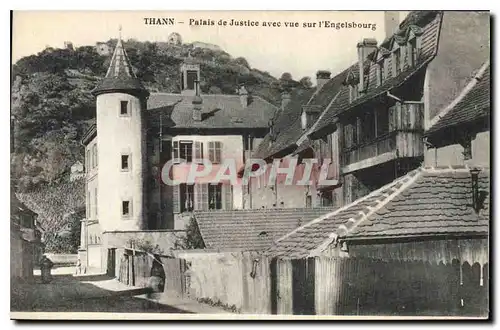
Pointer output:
300, 51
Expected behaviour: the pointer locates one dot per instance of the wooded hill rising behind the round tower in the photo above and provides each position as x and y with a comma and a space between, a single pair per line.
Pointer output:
52, 107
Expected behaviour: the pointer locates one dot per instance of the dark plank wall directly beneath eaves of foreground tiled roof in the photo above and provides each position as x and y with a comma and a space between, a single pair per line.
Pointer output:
362, 286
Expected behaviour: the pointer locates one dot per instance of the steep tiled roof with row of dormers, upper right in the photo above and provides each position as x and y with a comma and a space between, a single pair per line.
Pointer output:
428, 52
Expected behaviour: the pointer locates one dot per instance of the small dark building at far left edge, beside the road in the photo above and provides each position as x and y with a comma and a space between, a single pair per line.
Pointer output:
26, 246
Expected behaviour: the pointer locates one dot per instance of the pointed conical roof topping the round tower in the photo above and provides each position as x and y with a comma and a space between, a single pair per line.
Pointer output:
120, 76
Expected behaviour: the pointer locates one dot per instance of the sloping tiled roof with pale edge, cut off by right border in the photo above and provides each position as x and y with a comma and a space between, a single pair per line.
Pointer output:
472, 104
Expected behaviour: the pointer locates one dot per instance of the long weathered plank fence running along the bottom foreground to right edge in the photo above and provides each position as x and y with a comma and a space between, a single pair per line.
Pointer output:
251, 283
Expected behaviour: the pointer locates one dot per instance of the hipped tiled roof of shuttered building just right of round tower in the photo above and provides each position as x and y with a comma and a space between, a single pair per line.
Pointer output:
218, 111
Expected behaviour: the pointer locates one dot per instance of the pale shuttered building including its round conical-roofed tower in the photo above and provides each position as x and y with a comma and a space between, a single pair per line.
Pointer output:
137, 133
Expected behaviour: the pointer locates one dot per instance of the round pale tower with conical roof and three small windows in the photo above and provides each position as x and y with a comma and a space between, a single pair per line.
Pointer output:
121, 100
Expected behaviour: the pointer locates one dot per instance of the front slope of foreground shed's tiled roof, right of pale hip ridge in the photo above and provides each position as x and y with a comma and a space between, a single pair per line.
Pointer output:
438, 202
